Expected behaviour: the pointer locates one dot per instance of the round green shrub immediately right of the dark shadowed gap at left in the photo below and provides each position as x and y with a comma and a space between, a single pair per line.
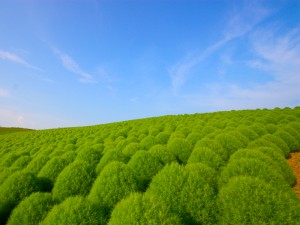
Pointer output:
75, 179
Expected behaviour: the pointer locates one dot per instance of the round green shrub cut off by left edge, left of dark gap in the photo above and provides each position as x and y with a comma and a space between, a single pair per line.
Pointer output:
15, 188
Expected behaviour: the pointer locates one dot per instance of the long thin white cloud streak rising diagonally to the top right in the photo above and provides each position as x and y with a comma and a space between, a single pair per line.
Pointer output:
240, 23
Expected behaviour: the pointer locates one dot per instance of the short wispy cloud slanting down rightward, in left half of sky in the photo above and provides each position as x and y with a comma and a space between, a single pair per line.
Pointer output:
70, 65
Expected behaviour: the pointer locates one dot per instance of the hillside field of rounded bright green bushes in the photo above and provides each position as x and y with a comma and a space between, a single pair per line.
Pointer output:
212, 168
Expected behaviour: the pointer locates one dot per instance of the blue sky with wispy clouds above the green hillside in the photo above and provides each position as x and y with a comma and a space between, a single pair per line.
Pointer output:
85, 62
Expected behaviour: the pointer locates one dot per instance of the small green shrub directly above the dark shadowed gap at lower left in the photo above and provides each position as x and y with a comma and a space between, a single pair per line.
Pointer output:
53, 168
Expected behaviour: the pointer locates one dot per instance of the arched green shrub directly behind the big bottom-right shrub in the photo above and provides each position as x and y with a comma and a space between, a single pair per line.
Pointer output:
255, 168
